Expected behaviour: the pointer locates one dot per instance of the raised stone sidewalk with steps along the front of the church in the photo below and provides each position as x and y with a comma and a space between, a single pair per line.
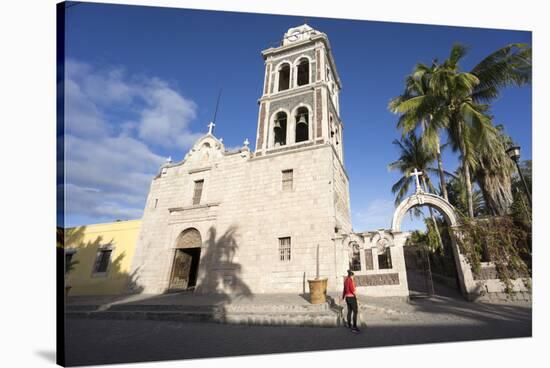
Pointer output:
261, 309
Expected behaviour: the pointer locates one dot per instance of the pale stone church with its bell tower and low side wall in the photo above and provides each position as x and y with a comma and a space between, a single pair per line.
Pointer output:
266, 221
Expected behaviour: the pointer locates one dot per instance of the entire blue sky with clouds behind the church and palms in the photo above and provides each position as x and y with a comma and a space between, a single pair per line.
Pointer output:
141, 85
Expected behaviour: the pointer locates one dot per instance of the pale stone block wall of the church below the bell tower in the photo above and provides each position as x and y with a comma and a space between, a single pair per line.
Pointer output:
243, 213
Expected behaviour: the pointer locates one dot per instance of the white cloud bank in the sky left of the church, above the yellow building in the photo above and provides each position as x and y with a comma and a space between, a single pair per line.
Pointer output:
109, 160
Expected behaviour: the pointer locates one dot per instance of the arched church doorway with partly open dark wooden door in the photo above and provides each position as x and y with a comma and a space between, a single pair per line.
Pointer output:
185, 266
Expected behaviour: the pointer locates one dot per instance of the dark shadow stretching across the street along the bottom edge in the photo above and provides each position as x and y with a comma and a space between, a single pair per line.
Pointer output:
135, 341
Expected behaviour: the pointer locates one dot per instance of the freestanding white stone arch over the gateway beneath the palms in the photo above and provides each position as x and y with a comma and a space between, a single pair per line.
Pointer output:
419, 199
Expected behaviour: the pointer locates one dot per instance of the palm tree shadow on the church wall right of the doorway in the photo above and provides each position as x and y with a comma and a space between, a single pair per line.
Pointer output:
218, 273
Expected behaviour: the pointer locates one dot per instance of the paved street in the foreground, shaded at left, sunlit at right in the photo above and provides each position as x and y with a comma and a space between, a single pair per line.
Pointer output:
388, 321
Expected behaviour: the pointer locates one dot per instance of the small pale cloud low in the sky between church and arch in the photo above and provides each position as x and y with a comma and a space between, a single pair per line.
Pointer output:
377, 215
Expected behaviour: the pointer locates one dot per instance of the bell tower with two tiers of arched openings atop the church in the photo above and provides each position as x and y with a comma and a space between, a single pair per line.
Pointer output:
299, 106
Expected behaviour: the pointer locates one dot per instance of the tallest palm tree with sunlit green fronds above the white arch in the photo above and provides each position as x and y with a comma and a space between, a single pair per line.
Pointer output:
457, 101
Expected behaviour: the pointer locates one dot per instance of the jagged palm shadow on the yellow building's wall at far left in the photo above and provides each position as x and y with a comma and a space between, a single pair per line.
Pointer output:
81, 276
